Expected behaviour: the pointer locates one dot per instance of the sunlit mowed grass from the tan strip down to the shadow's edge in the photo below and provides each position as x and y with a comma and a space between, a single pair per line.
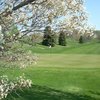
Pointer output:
71, 73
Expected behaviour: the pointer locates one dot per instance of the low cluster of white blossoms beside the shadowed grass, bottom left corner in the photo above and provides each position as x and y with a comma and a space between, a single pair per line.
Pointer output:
7, 86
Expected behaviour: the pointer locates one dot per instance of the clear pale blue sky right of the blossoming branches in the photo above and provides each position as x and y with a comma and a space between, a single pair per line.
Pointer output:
93, 8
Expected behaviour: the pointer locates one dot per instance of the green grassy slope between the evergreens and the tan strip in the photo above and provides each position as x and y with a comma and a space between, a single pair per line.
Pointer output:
73, 47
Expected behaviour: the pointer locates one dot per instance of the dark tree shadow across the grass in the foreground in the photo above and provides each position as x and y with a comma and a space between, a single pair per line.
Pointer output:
44, 93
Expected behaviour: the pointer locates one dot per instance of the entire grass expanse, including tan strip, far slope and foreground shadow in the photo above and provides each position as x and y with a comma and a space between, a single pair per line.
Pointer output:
61, 73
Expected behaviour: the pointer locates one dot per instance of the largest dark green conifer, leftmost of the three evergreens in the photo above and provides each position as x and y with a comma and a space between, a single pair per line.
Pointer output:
49, 37
